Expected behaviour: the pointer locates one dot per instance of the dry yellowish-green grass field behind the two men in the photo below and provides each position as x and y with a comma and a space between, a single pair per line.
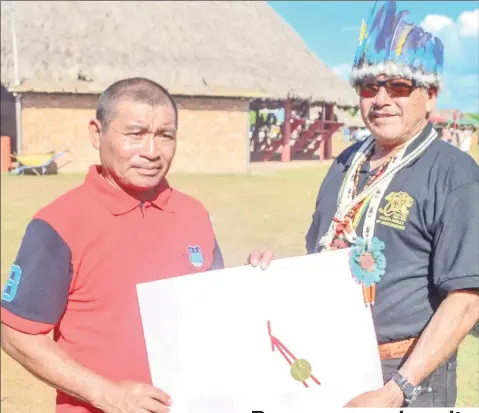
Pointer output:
268, 210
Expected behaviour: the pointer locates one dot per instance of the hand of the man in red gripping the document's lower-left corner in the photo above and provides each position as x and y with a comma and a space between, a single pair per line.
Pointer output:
131, 397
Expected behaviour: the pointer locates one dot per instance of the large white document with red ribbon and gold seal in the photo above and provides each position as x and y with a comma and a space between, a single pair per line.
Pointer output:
294, 338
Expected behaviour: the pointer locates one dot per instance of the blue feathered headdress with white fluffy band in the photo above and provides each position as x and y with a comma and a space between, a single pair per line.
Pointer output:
389, 45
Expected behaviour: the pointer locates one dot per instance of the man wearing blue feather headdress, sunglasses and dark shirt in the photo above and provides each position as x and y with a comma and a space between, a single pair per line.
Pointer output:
406, 204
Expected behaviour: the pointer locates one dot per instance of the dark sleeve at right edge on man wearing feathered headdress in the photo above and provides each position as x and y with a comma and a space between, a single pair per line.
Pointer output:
456, 239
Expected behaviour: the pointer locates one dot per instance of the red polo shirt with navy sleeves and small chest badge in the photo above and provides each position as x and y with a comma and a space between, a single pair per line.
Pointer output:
79, 263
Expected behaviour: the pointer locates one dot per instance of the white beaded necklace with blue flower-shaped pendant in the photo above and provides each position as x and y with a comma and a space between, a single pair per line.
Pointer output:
367, 261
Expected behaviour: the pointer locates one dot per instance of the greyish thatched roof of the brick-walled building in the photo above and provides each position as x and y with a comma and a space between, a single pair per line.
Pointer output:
221, 48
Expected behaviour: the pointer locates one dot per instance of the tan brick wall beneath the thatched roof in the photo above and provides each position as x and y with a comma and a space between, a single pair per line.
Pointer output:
212, 135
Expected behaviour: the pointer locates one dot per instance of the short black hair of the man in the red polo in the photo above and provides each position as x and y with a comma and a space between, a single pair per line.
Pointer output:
136, 88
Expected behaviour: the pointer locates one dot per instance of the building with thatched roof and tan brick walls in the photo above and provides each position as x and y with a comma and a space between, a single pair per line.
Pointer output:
215, 57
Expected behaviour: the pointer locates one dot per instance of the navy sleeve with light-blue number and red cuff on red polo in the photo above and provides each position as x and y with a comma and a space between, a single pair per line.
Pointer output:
36, 292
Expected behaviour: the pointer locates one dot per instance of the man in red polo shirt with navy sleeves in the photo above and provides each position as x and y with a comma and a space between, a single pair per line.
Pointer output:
82, 256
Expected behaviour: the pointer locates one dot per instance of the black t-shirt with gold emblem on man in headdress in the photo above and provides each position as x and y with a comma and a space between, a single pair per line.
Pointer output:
429, 223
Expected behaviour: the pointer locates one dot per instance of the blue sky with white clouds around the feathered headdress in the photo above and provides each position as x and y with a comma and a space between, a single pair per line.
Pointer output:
331, 30
